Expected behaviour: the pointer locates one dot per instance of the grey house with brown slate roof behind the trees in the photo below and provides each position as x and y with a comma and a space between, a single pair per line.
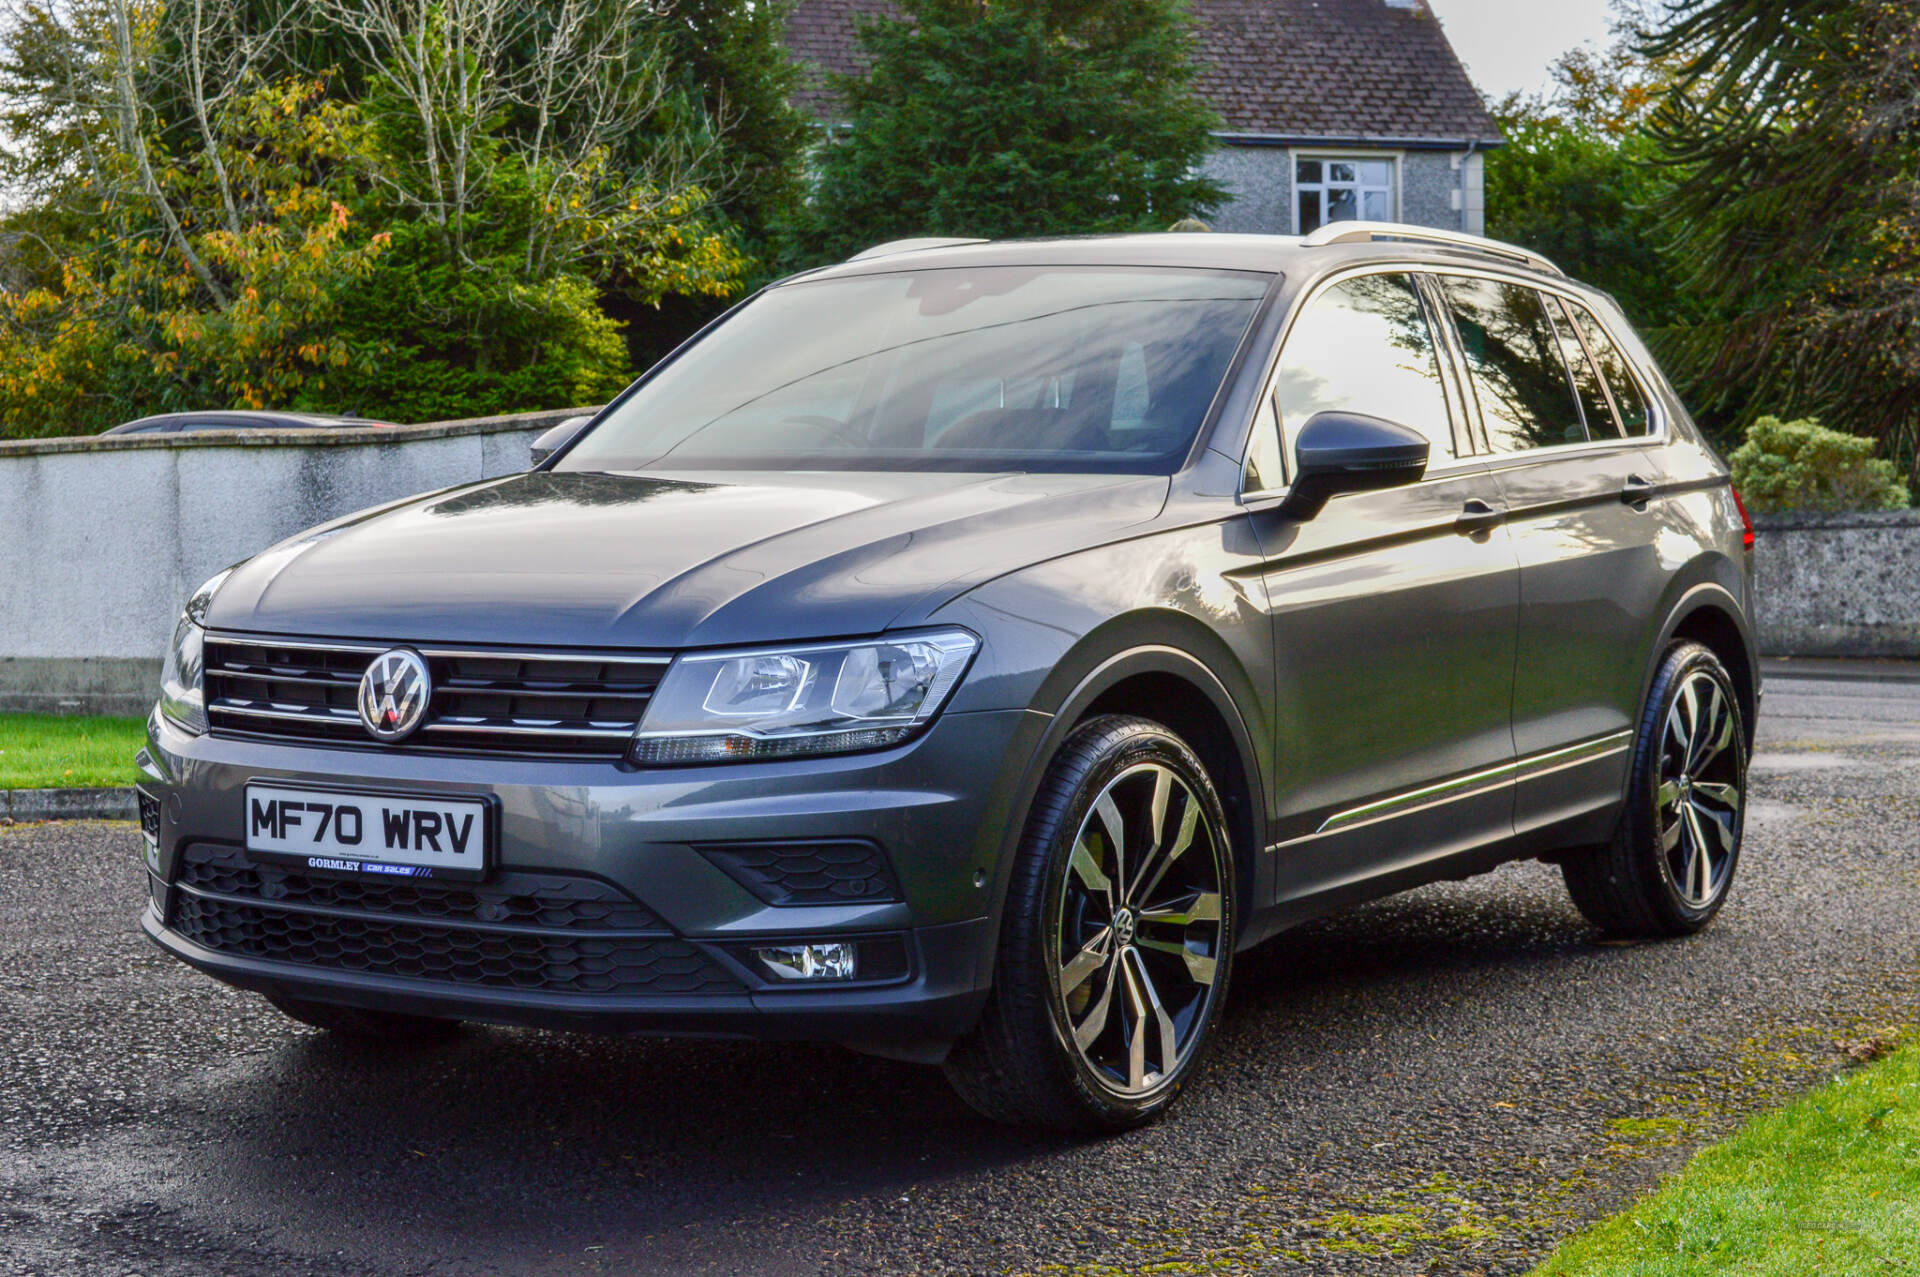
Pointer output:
1332, 110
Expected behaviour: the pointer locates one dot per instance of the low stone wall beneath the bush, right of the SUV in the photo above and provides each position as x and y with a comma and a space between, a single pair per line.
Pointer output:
1838, 585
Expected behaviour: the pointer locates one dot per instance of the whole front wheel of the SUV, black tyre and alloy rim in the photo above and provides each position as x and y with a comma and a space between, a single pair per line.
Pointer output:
1116, 942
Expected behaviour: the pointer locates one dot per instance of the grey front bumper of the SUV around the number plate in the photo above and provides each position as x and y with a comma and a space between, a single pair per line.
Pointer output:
640, 844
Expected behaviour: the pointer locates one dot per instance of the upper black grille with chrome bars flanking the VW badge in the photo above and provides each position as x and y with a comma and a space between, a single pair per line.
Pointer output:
485, 700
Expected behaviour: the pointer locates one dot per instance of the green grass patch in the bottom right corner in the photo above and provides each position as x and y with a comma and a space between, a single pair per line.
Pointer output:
1829, 1184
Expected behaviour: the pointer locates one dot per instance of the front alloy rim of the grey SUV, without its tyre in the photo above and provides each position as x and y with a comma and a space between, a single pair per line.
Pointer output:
1141, 928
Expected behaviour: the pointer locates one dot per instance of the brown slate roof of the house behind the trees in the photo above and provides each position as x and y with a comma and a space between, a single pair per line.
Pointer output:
1278, 68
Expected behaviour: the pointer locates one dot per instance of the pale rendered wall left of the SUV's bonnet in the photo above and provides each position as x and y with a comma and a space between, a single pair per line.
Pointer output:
103, 539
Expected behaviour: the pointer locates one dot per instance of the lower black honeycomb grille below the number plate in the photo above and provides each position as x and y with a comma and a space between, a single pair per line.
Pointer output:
560, 934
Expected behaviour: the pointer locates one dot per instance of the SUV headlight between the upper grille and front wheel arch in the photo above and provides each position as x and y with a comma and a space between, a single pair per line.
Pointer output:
790, 702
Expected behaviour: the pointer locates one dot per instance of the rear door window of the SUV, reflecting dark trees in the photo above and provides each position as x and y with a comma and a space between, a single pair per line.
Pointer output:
1514, 360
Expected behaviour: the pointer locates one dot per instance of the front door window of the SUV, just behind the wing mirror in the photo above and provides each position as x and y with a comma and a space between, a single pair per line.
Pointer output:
1366, 347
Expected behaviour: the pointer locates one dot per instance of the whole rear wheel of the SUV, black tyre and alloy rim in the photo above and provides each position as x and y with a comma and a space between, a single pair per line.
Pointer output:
1673, 861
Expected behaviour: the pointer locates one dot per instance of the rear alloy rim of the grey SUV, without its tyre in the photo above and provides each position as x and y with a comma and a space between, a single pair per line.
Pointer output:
1700, 790
